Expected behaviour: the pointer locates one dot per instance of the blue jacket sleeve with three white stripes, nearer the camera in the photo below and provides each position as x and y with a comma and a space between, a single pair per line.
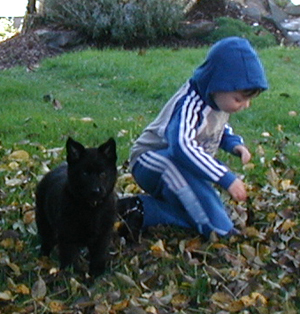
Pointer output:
181, 133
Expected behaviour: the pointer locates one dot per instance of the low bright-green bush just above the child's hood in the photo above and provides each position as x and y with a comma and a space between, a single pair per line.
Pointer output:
256, 34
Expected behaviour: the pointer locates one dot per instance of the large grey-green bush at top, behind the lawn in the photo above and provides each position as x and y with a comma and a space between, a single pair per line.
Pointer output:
117, 21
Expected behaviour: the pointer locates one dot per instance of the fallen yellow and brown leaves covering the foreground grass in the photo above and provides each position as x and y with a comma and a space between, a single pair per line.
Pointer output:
170, 270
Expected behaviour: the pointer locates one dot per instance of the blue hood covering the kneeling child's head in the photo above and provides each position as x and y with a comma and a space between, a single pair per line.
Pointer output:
231, 64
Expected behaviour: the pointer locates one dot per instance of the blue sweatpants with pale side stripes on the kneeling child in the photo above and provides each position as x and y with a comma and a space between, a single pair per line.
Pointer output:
177, 197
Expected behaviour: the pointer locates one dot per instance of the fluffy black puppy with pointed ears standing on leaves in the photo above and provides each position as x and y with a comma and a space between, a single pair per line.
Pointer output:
75, 204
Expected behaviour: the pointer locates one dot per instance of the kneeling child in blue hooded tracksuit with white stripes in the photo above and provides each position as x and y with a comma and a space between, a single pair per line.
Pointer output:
173, 159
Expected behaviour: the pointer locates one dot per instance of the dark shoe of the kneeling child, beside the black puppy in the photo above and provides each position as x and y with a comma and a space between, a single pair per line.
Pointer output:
132, 213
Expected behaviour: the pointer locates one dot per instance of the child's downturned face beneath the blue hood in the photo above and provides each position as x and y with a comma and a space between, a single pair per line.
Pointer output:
232, 101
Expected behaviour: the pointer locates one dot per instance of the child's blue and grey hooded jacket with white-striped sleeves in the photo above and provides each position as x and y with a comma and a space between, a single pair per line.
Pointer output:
190, 126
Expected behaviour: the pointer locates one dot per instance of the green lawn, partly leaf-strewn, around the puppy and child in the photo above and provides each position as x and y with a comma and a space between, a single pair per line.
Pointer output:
122, 91
